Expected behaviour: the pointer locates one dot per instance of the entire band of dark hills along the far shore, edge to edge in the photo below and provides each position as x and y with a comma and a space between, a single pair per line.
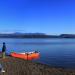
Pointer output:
35, 35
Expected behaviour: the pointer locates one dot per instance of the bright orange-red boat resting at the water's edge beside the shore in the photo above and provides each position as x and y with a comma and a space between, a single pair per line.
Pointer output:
26, 56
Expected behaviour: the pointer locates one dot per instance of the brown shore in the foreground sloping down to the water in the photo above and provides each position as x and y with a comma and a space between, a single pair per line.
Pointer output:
15, 66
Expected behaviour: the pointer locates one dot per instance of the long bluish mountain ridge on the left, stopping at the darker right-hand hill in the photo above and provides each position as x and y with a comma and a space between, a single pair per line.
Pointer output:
27, 35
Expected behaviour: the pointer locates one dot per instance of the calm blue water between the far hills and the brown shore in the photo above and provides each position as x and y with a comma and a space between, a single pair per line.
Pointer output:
54, 52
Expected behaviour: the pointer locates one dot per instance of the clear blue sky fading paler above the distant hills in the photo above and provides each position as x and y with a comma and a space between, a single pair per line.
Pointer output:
45, 16
